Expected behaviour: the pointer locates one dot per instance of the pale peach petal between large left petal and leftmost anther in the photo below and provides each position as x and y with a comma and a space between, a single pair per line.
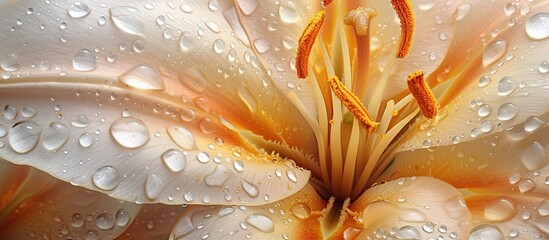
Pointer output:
273, 29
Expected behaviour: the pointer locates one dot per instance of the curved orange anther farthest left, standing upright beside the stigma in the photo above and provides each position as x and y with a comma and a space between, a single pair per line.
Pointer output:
306, 41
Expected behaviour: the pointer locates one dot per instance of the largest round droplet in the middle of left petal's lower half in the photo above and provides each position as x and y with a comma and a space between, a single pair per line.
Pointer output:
130, 132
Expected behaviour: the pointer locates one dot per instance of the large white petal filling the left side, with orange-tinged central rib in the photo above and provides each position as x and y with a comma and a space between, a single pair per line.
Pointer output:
152, 126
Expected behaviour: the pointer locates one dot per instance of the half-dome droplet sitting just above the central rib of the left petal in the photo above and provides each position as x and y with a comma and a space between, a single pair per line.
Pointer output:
143, 77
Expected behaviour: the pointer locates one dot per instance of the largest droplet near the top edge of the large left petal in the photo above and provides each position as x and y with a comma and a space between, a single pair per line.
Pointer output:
128, 19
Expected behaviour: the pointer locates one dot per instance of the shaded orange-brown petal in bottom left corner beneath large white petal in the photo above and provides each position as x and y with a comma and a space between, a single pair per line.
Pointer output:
64, 211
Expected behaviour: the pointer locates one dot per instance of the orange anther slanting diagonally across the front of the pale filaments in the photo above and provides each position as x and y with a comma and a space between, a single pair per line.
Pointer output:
351, 101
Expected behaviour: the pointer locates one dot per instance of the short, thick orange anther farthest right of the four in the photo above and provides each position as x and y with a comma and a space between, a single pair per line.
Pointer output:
423, 94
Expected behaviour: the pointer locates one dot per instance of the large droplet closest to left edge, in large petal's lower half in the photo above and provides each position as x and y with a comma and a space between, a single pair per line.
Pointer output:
24, 136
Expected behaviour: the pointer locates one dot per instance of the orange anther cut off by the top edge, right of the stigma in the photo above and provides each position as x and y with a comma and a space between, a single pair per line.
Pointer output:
403, 9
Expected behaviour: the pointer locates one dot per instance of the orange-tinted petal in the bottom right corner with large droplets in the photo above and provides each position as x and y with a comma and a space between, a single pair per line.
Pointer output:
496, 216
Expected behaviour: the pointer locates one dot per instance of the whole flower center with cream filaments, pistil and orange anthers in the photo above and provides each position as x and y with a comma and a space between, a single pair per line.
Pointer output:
353, 153
